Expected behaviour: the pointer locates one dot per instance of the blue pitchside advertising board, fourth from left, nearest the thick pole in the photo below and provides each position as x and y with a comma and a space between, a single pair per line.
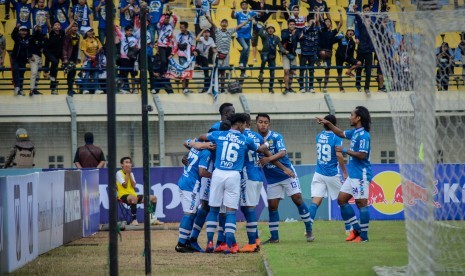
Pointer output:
90, 202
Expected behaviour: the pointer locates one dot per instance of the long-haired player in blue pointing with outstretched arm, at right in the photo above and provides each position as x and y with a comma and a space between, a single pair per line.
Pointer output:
359, 168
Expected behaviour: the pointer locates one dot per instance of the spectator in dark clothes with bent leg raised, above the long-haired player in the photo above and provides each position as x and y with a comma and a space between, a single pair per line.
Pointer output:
345, 53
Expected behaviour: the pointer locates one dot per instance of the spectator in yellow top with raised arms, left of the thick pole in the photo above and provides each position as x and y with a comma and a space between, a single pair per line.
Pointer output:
90, 47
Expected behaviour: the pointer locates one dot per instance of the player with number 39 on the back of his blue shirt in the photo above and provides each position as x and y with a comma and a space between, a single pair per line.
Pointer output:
326, 178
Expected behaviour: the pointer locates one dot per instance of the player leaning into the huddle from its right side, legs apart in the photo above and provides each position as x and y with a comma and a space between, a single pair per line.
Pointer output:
279, 182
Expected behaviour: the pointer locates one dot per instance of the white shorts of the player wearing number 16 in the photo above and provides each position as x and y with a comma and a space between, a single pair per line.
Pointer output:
225, 189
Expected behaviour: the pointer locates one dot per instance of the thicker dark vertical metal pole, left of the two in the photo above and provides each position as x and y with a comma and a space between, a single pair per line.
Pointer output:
111, 133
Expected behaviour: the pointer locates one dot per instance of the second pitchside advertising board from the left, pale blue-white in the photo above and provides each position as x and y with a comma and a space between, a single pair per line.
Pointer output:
50, 213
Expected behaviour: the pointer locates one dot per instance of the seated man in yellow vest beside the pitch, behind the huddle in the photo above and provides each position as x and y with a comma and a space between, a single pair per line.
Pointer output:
125, 185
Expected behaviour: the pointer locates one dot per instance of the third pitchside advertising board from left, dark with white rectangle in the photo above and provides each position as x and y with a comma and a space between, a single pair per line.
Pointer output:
72, 227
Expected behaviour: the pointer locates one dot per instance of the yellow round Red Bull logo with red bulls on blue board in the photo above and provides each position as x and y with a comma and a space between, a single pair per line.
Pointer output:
387, 197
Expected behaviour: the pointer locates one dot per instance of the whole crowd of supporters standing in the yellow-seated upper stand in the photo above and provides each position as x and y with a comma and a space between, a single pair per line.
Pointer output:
61, 33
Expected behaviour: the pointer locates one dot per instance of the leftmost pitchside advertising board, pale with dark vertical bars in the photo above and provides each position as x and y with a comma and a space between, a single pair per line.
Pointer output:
19, 218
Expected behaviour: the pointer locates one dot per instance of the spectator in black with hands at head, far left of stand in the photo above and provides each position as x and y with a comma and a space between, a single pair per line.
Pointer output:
19, 56
